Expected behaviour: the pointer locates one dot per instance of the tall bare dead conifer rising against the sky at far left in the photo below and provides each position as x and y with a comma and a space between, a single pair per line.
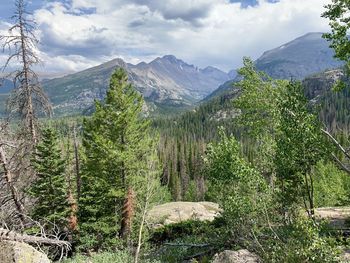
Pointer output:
28, 98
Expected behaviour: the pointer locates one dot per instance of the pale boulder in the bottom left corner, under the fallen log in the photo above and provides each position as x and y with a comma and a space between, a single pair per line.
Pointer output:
18, 252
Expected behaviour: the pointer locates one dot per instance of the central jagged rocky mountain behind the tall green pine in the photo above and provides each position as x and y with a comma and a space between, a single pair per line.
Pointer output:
164, 82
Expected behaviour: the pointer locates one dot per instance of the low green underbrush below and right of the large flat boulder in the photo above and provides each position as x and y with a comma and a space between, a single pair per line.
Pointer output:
299, 241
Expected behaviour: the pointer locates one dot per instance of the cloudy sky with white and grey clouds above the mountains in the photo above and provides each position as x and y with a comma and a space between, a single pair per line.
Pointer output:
77, 34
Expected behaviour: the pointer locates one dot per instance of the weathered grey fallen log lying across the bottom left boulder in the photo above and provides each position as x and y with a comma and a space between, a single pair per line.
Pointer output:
9, 235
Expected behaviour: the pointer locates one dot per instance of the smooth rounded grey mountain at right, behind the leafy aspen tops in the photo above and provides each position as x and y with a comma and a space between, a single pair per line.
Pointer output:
302, 57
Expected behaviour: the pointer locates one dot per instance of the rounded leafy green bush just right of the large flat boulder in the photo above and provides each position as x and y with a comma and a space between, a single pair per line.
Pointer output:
240, 190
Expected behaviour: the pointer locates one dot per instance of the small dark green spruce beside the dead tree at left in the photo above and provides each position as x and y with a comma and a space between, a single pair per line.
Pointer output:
49, 188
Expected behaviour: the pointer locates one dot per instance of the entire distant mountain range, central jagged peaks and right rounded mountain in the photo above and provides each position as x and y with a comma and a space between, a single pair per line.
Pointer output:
169, 84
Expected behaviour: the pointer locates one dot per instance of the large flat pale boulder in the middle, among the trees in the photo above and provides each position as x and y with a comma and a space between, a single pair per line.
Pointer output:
176, 212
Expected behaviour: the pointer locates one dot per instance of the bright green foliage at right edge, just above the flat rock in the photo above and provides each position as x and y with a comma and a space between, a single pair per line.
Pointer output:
331, 185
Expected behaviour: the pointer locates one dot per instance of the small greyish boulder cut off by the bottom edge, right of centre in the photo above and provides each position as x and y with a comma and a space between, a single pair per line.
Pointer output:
240, 256
